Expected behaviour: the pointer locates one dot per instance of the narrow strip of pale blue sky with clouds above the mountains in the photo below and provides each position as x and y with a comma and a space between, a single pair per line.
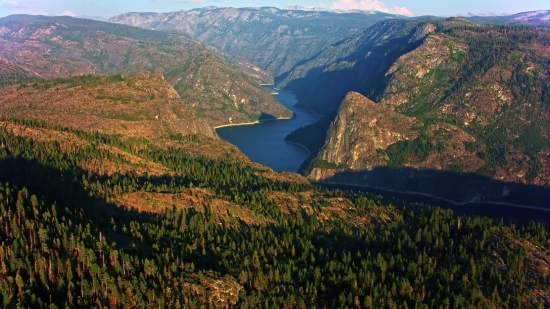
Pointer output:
108, 8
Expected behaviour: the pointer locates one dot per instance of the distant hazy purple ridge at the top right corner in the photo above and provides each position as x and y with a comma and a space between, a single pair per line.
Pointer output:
539, 19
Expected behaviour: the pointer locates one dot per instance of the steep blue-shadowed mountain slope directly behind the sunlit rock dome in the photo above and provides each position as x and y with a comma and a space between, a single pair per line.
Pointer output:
322, 82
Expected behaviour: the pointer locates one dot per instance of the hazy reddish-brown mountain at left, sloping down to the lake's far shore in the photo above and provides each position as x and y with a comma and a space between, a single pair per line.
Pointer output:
65, 46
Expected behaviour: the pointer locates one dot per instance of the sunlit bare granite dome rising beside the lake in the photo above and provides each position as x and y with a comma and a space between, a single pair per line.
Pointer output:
361, 129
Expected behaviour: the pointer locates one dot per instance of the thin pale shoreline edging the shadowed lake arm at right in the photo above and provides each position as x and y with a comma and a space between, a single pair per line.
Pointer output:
454, 203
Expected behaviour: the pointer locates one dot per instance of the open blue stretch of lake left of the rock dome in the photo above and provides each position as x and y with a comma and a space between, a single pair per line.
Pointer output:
264, 142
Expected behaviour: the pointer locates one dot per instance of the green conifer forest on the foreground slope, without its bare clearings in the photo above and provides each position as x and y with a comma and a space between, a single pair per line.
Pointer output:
65, 245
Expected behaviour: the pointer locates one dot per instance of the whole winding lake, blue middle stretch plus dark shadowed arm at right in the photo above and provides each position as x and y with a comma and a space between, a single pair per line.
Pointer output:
264, 143
